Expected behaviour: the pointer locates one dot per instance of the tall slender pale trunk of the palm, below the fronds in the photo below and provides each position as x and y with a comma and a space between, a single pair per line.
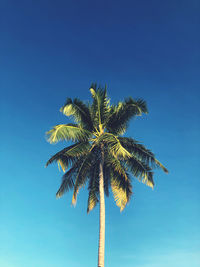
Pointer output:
101, 216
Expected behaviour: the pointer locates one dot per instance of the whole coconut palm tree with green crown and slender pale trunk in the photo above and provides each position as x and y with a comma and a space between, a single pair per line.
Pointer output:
100, 156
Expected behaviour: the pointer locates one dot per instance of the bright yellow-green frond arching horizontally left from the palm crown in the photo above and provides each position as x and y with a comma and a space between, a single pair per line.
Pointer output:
67, 132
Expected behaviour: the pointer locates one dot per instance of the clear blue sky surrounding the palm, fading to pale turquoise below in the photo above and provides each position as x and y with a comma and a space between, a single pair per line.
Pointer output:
51, 50
